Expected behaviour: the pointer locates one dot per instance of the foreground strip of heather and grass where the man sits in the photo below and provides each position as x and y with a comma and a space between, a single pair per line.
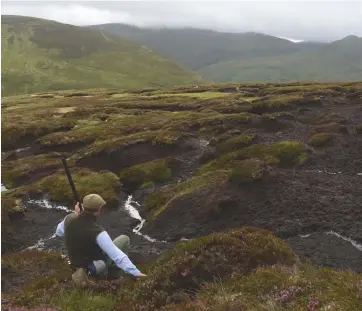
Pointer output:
243, 269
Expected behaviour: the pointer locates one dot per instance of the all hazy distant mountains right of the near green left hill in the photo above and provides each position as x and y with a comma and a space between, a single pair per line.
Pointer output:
249, 57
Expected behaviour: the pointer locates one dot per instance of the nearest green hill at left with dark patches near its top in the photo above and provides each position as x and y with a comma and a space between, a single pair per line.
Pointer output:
40, 55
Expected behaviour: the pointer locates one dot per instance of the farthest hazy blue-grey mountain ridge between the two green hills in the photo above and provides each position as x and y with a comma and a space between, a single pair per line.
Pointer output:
197, 48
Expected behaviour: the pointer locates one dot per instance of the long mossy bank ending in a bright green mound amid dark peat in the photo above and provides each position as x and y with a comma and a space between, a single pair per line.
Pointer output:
284, 153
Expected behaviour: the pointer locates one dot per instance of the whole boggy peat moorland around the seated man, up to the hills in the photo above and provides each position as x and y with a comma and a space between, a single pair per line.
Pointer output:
236, 197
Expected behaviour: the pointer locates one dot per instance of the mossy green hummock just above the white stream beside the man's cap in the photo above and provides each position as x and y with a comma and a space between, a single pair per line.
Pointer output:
141, 175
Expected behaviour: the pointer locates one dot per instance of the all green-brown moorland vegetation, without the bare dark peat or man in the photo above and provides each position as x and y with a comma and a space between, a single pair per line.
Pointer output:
142, 138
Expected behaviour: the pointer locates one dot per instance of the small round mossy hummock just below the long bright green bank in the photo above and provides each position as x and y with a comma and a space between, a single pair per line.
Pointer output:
246, 171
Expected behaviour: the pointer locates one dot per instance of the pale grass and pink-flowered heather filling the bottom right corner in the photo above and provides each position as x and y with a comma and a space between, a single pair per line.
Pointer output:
281, 288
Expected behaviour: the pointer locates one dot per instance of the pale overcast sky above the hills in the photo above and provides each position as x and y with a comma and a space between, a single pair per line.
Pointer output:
301, 20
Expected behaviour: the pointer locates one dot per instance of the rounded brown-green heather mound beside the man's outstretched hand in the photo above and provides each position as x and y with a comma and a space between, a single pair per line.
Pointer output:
189, 265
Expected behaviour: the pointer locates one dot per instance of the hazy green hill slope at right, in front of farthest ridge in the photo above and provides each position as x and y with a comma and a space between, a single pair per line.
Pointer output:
339, 61
